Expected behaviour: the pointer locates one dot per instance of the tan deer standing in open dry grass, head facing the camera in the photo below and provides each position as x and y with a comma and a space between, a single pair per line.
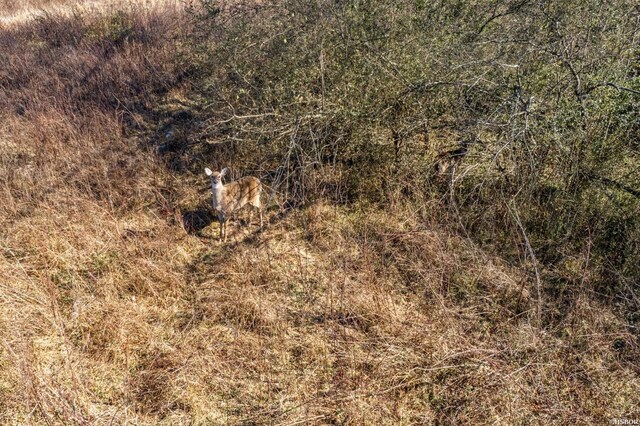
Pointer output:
231, 197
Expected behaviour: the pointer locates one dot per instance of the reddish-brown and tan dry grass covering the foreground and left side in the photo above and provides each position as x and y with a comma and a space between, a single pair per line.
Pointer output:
114, 311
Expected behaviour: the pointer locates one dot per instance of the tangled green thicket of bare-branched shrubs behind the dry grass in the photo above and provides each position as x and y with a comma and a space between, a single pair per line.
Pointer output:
355, 101
